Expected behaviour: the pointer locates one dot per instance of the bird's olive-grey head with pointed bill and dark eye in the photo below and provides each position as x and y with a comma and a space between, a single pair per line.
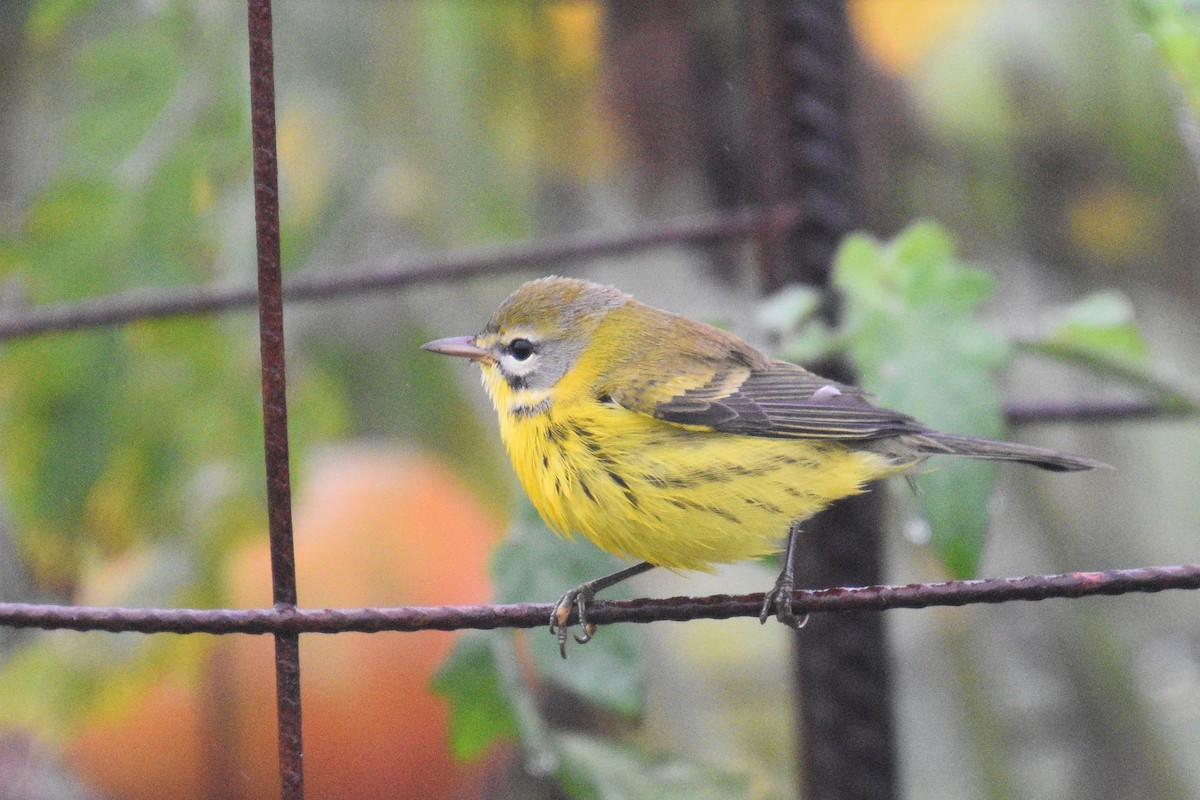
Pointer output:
538, 334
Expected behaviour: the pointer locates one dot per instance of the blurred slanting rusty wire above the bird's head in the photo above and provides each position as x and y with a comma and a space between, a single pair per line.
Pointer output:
158, 304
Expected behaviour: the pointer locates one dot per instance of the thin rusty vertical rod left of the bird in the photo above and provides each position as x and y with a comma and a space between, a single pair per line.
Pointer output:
275, 410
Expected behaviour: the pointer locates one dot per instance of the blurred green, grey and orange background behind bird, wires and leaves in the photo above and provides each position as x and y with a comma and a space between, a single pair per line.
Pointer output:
1057, 140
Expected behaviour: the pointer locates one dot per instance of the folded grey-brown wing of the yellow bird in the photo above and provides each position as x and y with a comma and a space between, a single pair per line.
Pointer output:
772, 399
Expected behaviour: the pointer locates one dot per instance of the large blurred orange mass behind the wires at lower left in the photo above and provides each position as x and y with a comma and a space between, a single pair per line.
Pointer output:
371, 530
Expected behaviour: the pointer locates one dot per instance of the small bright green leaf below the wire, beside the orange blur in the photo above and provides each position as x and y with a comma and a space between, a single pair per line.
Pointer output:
481, 712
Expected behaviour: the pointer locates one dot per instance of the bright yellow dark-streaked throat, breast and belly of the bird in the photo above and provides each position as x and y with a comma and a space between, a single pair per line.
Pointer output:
680, 498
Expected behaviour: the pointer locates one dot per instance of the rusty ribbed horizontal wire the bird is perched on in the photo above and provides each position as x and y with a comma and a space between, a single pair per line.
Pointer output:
523, 616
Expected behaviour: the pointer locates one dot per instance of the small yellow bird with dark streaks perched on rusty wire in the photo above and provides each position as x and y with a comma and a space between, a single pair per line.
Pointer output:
675, 443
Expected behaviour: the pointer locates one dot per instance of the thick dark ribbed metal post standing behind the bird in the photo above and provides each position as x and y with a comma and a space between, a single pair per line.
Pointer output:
843, 672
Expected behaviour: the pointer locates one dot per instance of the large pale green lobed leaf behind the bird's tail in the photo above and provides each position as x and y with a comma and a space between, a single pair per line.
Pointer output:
910, 327
